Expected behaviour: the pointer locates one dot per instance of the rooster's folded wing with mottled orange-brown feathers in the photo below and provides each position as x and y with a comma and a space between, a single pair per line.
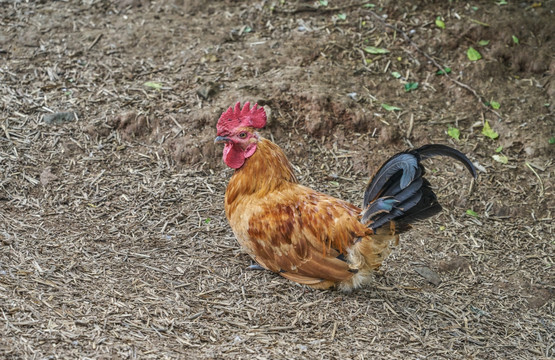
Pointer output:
302, 234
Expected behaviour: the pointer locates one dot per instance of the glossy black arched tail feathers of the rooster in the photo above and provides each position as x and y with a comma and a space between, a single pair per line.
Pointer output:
398, 192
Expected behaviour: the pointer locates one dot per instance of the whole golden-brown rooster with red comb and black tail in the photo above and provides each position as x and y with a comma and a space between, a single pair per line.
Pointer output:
307, 236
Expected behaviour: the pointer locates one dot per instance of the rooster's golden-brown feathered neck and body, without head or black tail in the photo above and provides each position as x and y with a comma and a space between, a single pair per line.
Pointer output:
303, 235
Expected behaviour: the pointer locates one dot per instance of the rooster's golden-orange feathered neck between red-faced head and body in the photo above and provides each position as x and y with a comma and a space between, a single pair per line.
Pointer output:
265, 171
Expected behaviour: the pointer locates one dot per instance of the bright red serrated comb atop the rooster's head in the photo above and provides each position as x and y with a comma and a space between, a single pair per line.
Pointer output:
246, 117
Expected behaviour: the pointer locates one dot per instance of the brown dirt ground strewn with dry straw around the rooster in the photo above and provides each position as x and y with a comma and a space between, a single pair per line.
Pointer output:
113, 238
